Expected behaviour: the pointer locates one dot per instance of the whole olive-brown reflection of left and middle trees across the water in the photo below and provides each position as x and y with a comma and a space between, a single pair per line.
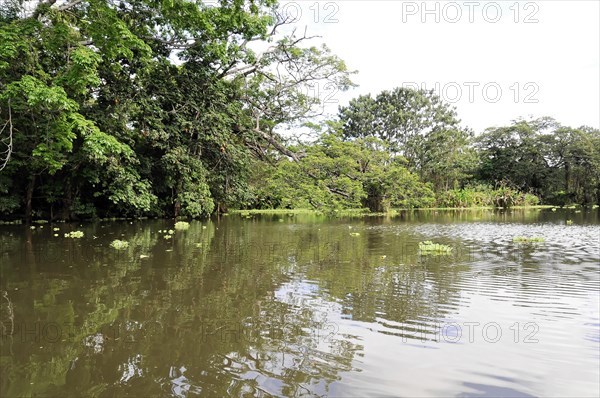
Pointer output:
206, 312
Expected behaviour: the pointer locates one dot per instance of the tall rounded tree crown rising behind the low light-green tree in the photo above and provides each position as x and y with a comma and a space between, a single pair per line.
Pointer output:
416, 124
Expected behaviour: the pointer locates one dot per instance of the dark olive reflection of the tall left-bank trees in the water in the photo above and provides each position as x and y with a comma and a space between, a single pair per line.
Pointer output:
198, 315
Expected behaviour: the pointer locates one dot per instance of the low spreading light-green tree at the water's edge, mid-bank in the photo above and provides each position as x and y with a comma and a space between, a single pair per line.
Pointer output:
336, 174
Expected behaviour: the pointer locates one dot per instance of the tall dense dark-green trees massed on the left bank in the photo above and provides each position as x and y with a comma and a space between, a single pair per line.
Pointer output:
146, 107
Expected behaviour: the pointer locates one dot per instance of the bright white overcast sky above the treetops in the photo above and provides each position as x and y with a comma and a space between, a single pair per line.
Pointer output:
543, 56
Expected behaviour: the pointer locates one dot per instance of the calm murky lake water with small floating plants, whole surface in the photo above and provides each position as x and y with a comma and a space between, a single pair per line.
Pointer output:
302, 305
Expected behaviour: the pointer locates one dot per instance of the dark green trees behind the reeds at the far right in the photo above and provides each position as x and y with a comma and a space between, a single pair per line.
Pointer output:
559, 163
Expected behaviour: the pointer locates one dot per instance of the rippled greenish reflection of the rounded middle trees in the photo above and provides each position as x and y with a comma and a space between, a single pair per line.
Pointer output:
381, 278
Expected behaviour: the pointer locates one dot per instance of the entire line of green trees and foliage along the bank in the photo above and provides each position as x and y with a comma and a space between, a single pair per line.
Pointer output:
165, 108
